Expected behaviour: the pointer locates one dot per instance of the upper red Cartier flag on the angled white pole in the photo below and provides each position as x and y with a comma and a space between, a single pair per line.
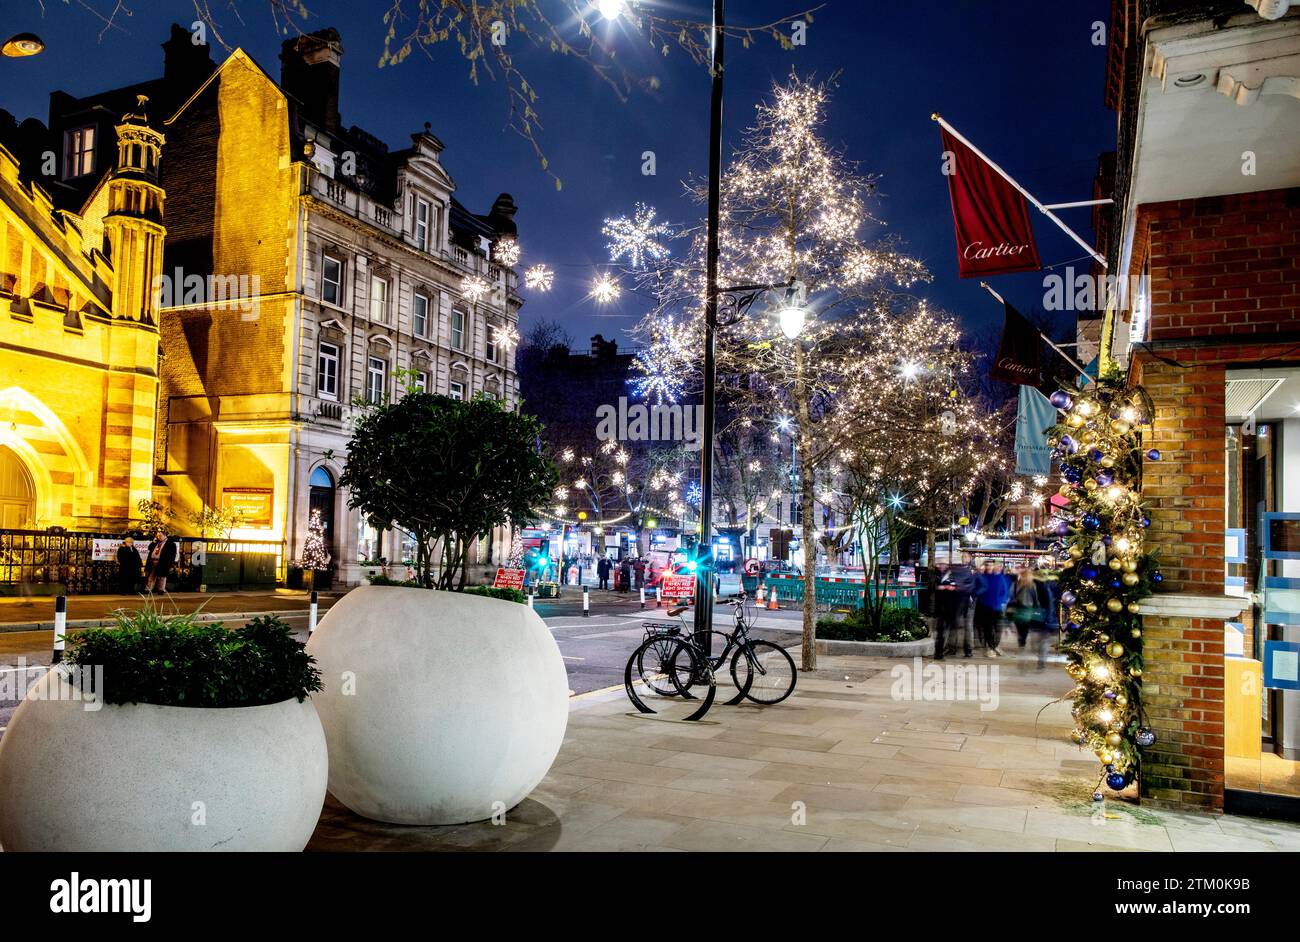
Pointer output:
993, 219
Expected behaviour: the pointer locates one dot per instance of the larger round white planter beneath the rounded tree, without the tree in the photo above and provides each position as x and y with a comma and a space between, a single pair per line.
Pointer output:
439, 707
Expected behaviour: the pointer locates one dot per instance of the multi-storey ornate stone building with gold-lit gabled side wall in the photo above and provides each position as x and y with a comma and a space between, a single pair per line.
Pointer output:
310, 268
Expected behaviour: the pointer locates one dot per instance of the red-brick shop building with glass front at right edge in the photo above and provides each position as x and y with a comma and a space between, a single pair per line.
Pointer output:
1206, 232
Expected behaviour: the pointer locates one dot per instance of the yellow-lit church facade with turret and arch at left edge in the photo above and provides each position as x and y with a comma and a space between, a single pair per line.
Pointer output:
81, 241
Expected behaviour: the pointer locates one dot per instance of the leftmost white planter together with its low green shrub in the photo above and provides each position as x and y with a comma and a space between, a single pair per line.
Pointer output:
196, 739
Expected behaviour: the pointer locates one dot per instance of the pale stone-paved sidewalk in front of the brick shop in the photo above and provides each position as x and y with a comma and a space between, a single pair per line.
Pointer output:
842, 766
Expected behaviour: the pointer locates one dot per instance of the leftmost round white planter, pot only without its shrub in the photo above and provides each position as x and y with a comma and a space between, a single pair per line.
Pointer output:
142, 778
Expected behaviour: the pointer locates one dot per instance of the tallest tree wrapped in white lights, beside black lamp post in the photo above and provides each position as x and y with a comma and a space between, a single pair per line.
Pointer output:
792, 209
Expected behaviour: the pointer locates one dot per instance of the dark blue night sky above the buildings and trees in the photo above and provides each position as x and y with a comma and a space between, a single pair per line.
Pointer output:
1021, 79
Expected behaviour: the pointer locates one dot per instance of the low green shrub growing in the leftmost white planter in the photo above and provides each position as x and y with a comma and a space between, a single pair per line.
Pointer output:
175, 661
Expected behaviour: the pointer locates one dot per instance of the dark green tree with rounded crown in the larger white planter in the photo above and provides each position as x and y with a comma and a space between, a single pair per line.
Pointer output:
447, 472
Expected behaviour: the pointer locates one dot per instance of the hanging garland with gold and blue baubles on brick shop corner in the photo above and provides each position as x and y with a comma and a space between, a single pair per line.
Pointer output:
1104, 571
